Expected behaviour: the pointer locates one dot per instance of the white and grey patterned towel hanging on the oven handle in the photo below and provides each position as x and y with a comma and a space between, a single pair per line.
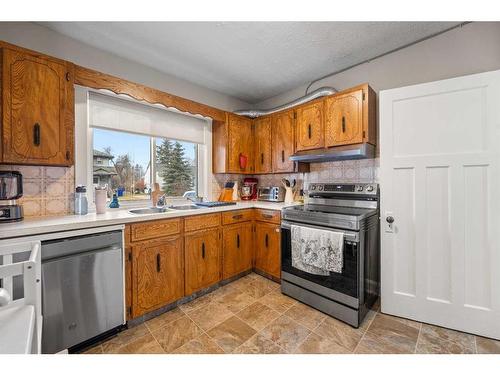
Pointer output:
317, 251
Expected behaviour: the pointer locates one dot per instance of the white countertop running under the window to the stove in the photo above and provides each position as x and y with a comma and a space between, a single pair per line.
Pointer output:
44, 225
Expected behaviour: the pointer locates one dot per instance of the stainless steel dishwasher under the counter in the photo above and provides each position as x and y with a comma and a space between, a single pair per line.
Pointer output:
82, 289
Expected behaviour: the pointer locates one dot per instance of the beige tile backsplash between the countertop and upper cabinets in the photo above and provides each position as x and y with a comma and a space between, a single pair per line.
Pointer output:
48, 191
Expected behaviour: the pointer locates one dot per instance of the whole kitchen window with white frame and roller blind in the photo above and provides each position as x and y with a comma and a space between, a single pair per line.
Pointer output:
132, 147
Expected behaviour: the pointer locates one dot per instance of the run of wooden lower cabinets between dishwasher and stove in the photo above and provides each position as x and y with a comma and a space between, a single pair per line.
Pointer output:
164, 269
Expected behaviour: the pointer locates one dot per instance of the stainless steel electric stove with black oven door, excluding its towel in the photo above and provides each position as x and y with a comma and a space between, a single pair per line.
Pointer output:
352, 209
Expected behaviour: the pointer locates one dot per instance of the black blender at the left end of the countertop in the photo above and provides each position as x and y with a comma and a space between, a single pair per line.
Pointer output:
11, 189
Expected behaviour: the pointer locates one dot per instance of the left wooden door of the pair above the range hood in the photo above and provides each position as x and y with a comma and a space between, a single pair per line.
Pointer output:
310, 126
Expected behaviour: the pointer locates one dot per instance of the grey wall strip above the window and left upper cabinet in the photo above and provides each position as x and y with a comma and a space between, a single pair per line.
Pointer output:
42, 39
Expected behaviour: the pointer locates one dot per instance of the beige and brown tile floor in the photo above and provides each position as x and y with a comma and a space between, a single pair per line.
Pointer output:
250, 315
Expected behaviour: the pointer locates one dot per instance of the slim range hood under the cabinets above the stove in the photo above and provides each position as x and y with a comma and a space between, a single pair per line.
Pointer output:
349, 152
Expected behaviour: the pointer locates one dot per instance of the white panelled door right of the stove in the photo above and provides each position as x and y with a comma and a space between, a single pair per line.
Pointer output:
439, 181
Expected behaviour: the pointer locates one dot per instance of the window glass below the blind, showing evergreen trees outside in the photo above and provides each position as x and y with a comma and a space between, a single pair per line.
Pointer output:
136, 162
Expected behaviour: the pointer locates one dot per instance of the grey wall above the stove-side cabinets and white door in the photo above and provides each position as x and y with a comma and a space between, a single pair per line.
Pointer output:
474, 48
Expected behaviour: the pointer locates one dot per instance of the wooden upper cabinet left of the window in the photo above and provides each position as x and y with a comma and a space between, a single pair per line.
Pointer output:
37, 109
